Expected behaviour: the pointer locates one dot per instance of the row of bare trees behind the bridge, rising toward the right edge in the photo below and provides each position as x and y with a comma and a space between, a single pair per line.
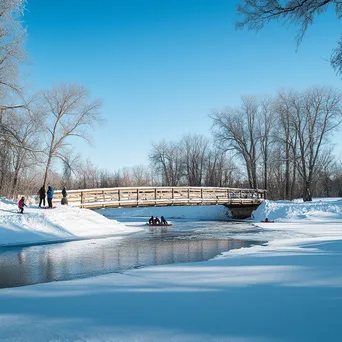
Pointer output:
280, 143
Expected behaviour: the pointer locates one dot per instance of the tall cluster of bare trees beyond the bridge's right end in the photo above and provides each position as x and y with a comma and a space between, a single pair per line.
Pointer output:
284, 142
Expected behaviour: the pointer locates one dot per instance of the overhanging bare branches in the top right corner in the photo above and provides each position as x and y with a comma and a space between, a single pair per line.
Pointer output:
256, 13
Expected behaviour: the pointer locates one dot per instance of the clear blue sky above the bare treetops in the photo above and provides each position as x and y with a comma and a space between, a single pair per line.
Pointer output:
161, 66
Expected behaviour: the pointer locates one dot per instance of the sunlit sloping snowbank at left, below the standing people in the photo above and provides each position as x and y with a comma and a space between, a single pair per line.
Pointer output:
38, 225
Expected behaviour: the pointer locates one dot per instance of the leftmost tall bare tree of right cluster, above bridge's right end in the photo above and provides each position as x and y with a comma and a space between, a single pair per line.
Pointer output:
236, 129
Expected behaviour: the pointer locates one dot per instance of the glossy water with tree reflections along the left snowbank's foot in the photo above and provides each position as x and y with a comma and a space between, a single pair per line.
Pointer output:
81, 259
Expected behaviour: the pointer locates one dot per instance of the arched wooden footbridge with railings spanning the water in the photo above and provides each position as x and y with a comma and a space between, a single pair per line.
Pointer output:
241, 202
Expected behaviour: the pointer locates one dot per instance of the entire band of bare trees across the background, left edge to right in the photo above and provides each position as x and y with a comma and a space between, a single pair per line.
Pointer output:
281, 143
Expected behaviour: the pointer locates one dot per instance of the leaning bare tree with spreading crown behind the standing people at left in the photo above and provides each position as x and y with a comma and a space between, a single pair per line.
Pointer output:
69, 113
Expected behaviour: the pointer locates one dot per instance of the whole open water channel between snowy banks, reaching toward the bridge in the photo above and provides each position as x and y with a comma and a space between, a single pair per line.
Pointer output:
185, 241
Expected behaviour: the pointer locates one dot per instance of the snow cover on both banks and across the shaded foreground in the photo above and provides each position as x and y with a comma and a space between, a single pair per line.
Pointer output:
288, 290
